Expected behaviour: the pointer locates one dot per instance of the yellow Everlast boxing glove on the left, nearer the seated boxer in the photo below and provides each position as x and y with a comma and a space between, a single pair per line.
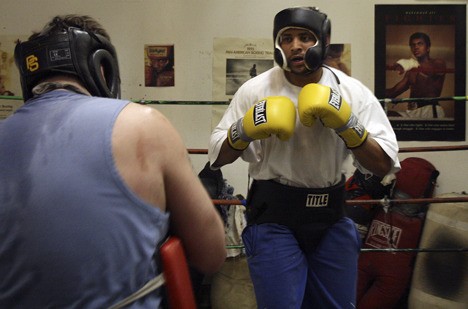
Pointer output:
270, 116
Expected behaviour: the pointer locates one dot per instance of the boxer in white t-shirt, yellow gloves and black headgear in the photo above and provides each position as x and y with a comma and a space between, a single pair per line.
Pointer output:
302, 251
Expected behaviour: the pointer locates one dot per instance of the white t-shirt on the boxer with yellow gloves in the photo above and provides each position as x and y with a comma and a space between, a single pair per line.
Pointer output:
313, 157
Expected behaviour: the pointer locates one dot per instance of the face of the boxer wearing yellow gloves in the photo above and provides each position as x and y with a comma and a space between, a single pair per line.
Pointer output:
294, 42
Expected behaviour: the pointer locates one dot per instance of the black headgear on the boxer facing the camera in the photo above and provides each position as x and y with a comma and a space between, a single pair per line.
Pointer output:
309, 18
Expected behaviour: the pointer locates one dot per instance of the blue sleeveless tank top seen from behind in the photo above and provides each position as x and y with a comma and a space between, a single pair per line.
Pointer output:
72, 234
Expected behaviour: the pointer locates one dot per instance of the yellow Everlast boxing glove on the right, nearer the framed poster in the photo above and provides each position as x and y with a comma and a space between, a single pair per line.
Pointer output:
321, 102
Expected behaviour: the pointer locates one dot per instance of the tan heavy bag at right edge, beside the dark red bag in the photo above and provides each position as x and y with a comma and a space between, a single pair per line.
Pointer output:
440, 278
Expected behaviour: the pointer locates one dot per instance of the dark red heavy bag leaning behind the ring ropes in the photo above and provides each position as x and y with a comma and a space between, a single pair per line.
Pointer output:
384, 278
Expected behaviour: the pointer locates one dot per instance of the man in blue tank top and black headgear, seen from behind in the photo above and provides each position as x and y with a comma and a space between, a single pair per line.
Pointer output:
88, 186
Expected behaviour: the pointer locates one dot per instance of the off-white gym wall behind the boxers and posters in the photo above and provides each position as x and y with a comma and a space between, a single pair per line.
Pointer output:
191, 27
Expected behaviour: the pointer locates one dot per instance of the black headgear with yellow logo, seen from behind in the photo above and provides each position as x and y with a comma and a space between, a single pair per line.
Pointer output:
72, 51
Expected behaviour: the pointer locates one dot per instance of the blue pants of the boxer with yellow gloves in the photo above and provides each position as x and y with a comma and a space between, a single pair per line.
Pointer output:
284, 277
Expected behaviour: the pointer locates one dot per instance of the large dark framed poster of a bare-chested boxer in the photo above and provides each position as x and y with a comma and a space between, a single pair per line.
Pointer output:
420, 70
